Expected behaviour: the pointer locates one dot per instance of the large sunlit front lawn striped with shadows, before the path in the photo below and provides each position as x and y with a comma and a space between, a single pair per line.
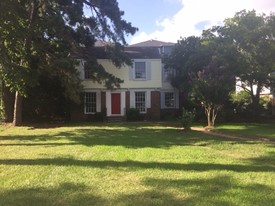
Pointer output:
132, 164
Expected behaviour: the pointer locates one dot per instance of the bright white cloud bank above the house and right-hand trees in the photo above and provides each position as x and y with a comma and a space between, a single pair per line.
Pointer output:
197, 15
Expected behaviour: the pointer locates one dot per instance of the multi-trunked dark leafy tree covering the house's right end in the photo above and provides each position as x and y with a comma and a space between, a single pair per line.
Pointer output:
203, 71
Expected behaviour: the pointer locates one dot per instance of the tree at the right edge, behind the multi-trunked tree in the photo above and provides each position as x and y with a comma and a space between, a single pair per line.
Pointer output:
253, 37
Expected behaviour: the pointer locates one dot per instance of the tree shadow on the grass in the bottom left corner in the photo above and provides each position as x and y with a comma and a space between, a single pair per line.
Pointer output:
64, 194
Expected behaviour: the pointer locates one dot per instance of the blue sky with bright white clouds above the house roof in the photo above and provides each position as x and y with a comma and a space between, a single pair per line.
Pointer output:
170, 20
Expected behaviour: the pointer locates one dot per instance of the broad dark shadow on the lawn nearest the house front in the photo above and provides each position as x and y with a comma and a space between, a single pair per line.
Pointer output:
141, 137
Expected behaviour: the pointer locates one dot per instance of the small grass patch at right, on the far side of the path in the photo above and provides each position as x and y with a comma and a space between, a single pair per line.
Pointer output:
250, 130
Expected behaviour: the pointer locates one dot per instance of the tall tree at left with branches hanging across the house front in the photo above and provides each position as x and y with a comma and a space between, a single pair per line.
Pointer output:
38, 36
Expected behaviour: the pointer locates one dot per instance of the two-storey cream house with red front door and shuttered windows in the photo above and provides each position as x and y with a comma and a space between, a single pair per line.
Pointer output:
146, 86
